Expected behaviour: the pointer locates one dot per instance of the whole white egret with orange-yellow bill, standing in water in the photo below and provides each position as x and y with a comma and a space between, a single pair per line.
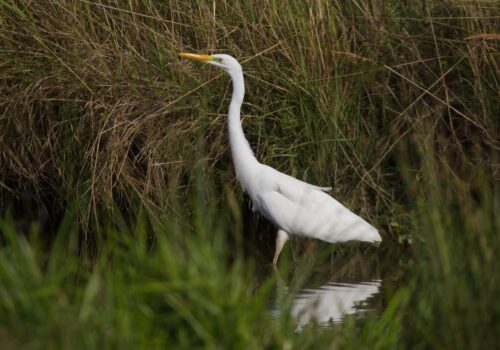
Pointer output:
294, 206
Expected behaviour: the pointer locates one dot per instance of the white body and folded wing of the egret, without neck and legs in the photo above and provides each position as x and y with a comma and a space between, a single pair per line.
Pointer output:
305, 210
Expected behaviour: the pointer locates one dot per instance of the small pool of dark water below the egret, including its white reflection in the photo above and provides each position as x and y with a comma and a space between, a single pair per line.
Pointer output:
321, 287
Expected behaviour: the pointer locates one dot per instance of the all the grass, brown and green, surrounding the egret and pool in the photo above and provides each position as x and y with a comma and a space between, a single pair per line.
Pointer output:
110, 235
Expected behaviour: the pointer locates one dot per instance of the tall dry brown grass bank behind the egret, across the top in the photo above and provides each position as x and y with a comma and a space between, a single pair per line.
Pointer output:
96, 107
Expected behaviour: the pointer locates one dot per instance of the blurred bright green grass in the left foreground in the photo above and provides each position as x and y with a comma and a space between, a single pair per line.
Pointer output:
151, 286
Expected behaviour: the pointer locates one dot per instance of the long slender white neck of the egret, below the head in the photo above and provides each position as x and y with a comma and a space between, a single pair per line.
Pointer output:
243, 159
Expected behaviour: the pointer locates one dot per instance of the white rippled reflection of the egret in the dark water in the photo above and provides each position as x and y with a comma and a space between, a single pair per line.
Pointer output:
329, 303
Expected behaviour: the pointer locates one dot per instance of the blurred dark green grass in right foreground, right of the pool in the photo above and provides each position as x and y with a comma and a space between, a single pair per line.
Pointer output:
456, 279
